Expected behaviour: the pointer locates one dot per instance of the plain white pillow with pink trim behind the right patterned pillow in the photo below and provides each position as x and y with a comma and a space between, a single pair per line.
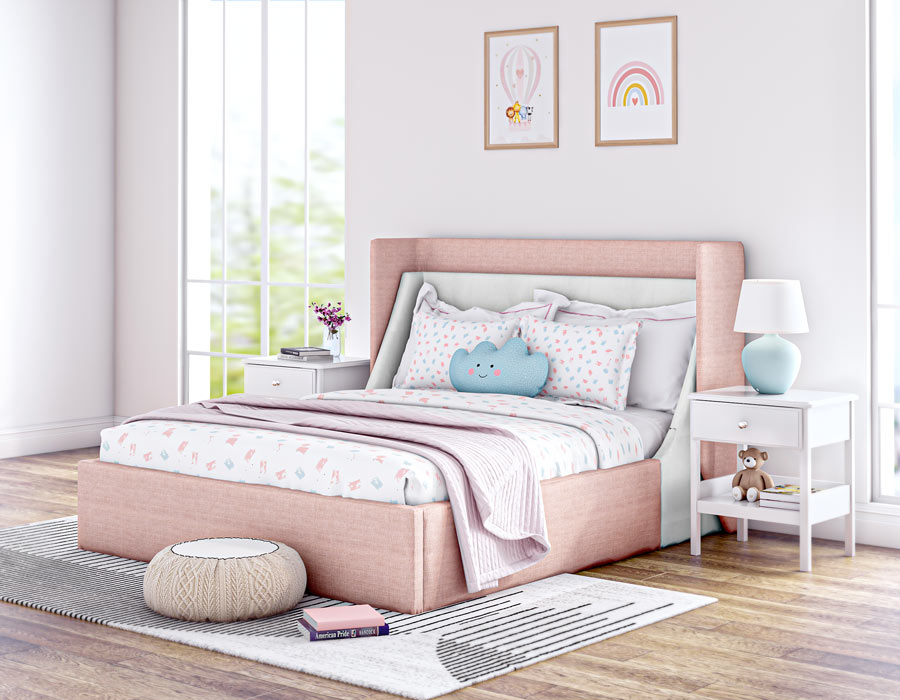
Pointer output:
663, 349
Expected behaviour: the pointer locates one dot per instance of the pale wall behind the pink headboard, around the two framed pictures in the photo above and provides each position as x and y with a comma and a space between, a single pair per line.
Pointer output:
772, 151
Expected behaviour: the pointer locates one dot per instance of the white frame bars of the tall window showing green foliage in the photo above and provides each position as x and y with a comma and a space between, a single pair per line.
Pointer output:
264, 282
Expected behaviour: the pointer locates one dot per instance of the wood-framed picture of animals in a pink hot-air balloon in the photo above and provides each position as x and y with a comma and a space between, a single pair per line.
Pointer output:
520, 109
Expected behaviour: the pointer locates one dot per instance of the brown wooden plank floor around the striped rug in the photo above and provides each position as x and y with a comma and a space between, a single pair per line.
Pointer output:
775, 633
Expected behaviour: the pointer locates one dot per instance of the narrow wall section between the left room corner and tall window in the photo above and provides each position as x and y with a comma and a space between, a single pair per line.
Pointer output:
148, 113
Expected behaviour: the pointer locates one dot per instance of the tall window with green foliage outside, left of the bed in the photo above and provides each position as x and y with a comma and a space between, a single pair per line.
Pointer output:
264, 181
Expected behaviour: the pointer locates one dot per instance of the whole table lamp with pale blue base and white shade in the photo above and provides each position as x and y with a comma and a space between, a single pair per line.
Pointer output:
771, 307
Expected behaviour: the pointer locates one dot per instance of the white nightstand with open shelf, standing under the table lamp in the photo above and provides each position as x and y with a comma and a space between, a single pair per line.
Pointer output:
798, 420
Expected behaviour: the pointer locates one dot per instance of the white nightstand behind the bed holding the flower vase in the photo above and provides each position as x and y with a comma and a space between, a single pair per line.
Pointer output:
273, 377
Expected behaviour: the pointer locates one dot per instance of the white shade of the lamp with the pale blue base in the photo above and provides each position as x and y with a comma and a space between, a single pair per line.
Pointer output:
771, 306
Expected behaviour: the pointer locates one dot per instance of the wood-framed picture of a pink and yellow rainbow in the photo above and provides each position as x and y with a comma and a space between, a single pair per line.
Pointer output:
644, 111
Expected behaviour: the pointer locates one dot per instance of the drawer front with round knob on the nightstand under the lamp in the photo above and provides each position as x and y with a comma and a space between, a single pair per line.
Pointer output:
740, 423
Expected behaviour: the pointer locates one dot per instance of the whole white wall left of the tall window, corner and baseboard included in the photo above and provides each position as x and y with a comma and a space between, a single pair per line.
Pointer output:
89, 217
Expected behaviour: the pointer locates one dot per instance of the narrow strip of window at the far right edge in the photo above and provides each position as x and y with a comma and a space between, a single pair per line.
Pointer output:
886, 251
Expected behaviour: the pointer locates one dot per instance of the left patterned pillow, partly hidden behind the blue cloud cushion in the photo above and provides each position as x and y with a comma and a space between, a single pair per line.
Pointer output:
438, 338
